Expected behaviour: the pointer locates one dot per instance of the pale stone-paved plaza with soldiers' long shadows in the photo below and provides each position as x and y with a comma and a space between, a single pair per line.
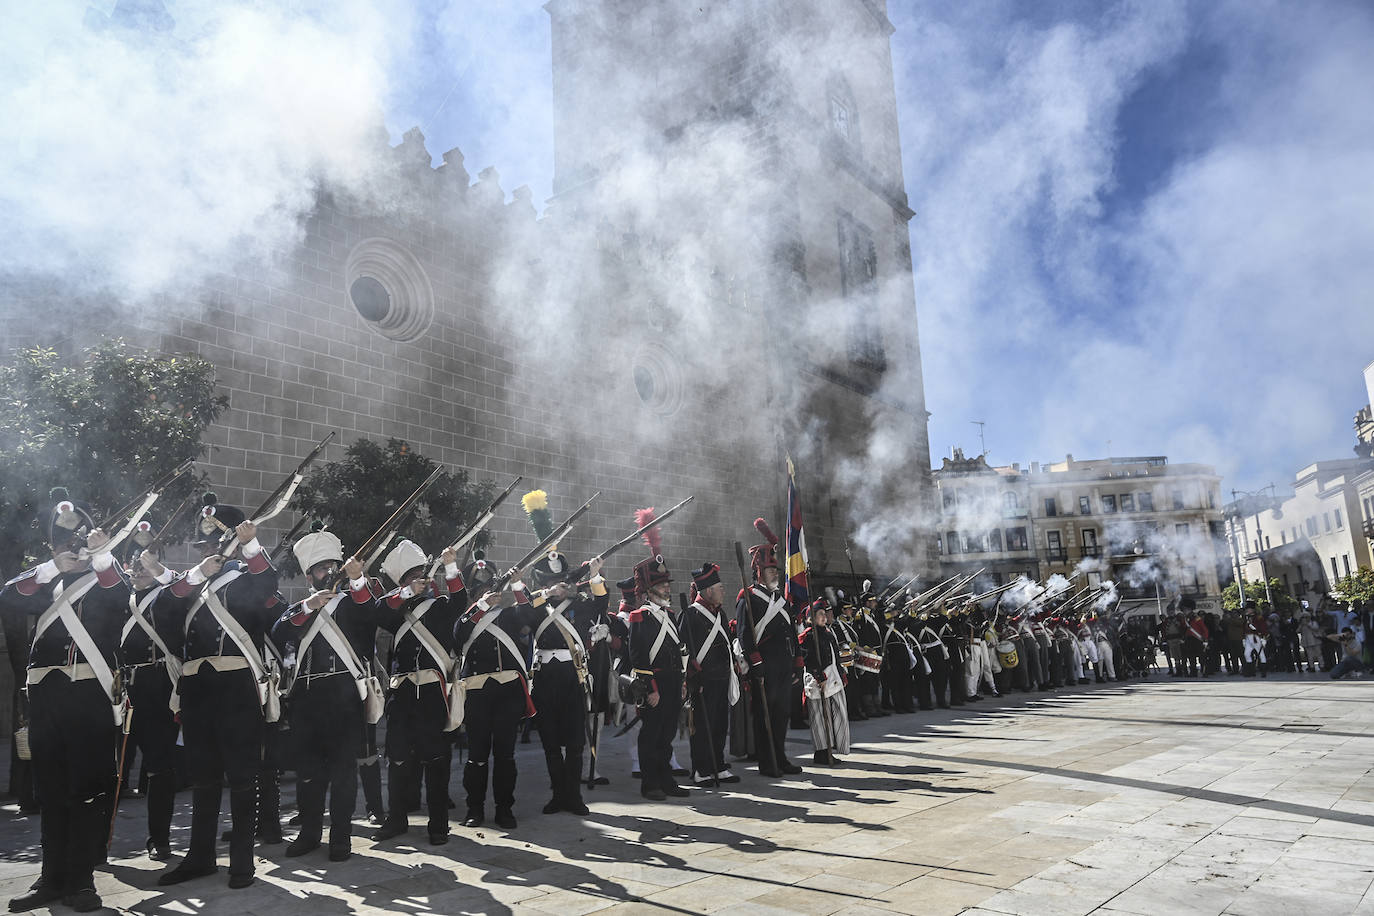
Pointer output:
1222, 796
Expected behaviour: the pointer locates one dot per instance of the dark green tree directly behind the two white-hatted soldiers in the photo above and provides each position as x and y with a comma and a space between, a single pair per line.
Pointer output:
357, 495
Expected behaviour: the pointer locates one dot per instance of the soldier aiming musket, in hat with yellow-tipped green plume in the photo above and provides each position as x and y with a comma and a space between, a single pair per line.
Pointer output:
563, 693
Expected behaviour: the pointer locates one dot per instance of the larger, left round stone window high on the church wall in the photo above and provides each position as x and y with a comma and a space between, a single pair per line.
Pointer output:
390, 289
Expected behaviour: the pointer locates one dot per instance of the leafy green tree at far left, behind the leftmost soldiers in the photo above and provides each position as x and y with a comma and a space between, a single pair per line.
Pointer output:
105, 428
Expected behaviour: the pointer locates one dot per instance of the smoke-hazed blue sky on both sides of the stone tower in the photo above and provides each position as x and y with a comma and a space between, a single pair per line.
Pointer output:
1144, 223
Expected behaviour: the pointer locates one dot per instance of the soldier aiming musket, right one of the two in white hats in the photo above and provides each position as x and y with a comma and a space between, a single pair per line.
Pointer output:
418, 709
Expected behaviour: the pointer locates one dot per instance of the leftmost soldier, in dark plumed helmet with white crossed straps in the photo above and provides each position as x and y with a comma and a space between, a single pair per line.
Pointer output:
80, 598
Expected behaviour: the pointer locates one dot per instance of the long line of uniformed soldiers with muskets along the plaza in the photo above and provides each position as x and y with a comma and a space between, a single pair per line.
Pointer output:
214, 654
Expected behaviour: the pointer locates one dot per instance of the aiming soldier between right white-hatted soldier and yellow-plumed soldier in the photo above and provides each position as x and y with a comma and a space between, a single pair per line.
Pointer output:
497, 683
